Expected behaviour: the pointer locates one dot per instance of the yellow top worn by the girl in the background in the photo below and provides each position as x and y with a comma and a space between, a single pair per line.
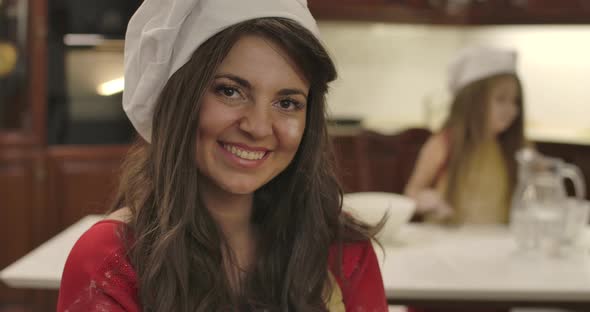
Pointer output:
482, 187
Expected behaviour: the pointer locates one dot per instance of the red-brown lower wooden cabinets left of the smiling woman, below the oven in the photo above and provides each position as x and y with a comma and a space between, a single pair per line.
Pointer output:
42, 191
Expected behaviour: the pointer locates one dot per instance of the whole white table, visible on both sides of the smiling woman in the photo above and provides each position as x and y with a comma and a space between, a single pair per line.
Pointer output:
477, 264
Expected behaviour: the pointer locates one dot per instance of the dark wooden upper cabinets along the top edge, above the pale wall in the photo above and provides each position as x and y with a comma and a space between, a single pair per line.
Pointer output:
474, 12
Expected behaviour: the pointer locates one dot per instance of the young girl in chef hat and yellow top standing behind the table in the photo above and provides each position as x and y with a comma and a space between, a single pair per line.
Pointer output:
466, 172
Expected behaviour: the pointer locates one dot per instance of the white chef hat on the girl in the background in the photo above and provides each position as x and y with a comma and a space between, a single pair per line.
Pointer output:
479, 62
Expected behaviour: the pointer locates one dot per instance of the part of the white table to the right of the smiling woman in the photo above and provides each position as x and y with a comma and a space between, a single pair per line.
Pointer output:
480, 264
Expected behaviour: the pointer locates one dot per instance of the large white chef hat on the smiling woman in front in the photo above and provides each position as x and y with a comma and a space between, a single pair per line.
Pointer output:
163, 34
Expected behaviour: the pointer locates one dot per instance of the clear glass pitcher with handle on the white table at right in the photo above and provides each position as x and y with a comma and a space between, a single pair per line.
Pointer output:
540, 215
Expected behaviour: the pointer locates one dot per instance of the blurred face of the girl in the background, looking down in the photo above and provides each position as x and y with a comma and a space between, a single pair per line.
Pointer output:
503, 104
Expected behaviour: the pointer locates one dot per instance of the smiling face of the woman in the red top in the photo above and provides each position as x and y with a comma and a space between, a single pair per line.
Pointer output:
252, 117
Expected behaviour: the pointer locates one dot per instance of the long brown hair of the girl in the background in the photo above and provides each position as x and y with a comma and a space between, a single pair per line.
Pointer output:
467, 124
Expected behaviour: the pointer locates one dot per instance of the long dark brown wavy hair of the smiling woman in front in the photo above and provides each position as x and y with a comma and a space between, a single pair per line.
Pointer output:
177, 248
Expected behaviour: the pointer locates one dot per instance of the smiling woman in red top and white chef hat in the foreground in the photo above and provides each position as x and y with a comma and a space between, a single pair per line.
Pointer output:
231, 202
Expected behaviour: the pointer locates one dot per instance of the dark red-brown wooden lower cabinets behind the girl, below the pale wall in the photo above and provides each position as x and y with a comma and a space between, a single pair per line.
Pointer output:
371, 161
